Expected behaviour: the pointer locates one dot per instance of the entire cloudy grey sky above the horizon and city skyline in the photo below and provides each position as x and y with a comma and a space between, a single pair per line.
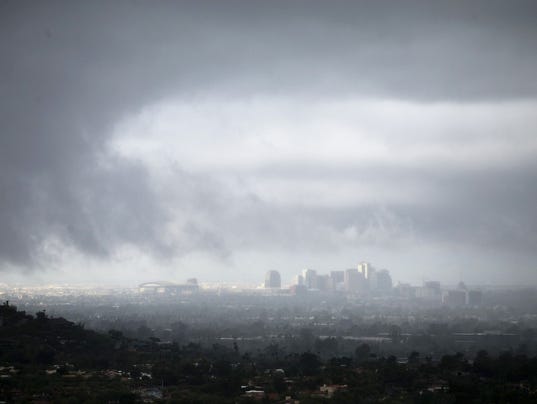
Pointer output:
157, 140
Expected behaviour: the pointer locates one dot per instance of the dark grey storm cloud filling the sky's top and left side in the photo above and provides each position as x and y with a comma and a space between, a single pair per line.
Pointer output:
70, 70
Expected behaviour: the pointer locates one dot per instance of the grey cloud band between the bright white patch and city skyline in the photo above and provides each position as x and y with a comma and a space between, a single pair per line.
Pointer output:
487, 210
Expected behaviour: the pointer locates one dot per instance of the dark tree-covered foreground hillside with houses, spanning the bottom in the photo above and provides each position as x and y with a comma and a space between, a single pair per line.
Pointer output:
53, 360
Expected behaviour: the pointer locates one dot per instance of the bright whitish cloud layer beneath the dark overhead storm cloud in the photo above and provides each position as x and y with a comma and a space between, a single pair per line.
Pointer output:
345, 167
